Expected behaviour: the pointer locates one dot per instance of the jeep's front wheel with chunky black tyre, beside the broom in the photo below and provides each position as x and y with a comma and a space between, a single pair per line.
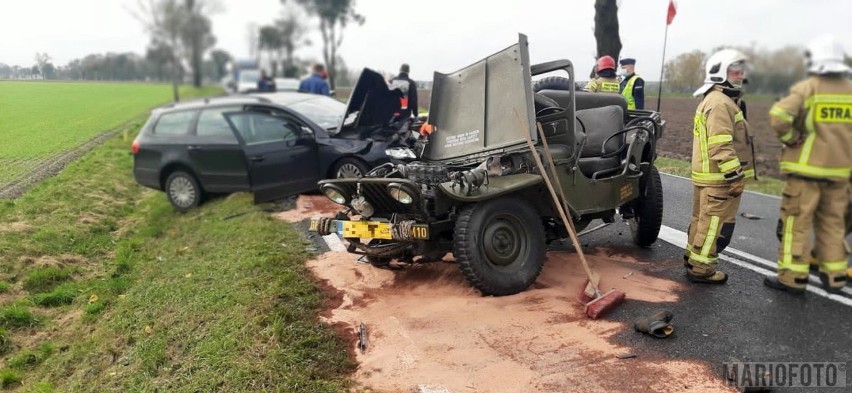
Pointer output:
499, 245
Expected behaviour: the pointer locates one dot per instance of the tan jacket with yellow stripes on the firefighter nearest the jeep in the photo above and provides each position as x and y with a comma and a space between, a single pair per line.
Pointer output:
721, 150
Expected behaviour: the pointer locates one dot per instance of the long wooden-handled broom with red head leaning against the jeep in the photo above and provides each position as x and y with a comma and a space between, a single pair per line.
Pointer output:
595, 304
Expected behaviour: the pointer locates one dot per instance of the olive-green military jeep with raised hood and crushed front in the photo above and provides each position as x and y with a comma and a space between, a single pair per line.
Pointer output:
476, 190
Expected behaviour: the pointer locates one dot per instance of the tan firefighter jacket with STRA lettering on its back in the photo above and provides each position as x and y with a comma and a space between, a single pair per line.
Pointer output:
815, 124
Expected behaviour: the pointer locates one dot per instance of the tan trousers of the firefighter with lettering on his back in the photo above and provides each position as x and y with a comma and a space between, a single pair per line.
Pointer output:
817, 205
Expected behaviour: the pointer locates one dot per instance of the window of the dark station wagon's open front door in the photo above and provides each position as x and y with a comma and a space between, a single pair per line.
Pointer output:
256, 128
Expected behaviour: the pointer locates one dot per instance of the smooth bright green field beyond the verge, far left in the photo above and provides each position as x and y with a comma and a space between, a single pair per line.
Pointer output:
42, 119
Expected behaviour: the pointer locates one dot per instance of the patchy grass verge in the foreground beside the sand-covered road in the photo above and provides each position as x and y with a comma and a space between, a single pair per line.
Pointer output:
179, 302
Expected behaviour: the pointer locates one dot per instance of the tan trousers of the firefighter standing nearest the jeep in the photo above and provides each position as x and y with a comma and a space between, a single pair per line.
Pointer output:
714, 214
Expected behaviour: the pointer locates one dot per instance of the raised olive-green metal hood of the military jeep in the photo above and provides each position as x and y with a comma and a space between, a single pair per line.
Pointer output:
483, 108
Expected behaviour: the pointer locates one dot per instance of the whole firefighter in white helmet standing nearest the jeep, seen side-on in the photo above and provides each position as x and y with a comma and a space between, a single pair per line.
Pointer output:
721, 160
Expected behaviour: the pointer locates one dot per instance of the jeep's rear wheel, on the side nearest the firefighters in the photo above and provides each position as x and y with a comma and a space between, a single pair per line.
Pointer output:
648, 210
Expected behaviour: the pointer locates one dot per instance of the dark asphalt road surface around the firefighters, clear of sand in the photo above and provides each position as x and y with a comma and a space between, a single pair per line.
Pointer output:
743, 319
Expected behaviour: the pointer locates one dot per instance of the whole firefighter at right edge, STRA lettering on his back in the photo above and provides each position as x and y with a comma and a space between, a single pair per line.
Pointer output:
814, 123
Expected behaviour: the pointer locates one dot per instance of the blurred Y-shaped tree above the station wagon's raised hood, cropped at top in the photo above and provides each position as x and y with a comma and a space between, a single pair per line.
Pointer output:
334, 15
